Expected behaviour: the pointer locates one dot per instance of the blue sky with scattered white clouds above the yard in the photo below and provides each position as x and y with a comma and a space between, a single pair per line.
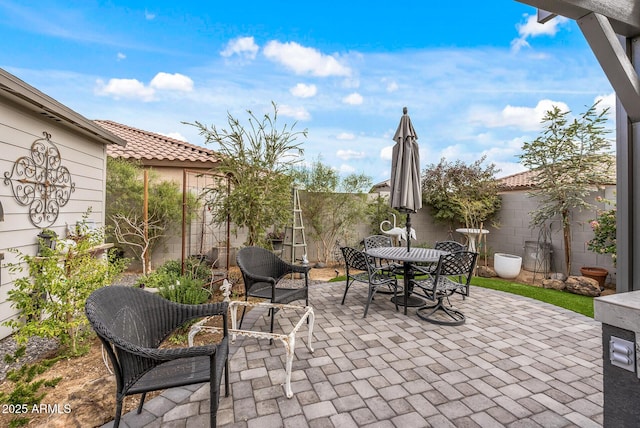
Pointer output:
476, 76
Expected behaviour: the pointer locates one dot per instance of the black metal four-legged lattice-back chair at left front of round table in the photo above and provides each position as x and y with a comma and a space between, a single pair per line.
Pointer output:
359, 268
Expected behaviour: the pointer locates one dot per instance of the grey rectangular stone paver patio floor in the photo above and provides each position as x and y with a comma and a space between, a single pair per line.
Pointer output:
516, 362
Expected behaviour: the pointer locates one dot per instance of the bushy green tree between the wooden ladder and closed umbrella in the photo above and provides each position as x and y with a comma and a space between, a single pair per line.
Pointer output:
332, 205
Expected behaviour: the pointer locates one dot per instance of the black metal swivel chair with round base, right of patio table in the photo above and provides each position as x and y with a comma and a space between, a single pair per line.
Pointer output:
452, 275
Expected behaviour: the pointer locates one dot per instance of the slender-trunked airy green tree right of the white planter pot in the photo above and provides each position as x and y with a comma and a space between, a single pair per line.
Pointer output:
570, 159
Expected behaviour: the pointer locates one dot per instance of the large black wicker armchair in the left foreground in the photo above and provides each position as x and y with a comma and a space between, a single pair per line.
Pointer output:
132, 323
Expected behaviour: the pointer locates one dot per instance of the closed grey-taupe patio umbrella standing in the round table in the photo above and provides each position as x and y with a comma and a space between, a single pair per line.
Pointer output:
406, 194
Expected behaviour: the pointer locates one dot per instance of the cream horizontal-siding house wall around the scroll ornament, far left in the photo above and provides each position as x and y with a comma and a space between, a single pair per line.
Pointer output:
86, 162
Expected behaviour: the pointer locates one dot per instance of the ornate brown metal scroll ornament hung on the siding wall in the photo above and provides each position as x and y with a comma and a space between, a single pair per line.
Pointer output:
40, 182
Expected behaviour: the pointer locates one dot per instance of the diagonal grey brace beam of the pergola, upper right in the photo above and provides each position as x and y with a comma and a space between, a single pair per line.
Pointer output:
614, 61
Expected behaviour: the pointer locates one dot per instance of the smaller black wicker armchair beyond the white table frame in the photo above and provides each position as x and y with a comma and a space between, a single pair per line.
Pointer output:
262, 270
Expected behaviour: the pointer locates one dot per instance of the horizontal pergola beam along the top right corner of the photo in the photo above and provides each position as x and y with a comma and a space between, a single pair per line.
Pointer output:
623, 14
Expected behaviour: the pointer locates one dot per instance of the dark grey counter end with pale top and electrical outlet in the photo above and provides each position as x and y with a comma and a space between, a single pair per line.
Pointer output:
620, 318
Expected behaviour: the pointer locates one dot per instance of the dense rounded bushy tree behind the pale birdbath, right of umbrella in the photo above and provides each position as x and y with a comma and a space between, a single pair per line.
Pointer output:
461, 194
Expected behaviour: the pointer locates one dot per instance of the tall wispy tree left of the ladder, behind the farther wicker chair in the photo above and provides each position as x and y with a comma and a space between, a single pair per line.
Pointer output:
257, 158
